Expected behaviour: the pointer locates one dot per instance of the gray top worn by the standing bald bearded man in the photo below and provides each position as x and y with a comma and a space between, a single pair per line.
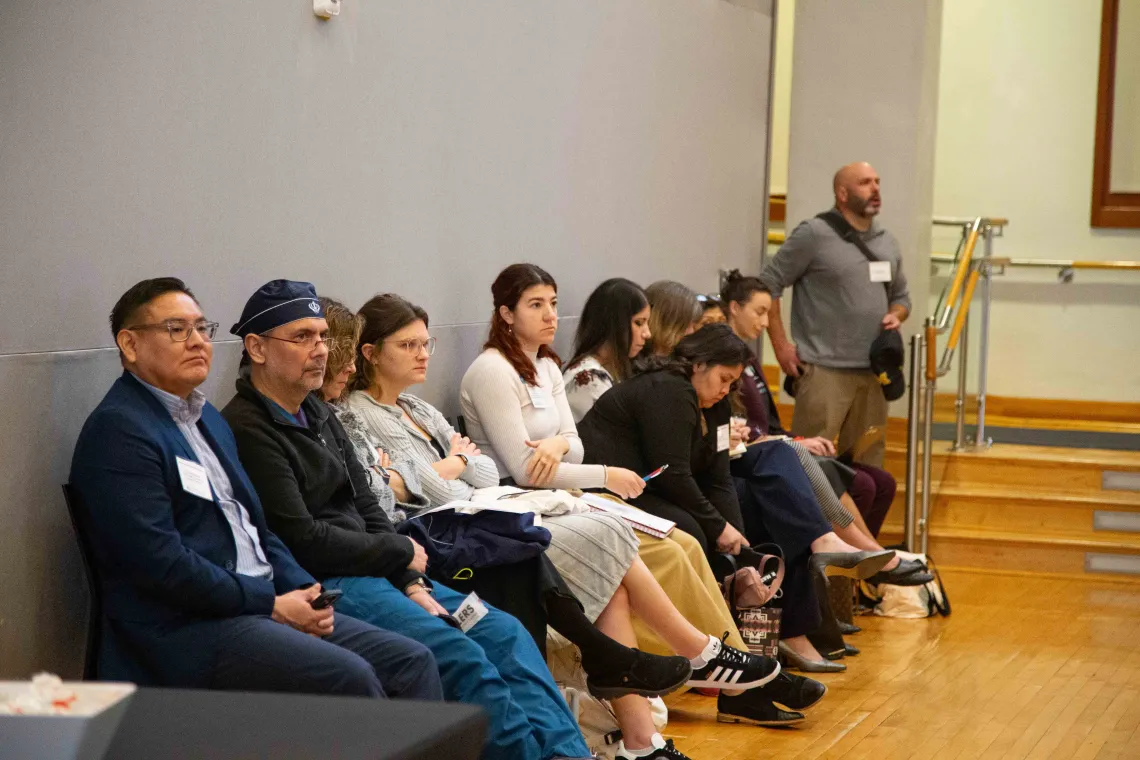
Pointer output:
837, 312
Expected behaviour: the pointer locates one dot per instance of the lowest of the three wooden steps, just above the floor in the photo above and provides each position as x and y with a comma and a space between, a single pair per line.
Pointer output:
1011, 552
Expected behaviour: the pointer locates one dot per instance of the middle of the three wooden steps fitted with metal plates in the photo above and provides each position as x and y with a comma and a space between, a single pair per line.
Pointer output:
1024, 510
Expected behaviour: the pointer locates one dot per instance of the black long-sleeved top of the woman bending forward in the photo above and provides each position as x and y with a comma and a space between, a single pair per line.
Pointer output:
654, 420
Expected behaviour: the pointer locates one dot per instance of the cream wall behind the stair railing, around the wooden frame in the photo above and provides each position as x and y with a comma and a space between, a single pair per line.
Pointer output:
1016, 119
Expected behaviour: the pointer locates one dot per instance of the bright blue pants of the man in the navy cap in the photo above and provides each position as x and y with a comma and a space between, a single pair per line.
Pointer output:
495, 666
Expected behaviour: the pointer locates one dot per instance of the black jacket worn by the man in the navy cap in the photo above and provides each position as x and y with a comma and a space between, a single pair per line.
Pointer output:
315, 492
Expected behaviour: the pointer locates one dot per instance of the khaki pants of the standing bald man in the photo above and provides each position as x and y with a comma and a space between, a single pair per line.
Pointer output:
844, 405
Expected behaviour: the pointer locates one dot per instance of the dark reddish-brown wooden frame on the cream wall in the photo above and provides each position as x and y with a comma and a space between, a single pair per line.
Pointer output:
1110, 210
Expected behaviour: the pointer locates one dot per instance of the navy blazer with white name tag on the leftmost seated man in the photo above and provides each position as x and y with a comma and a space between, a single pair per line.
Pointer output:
166, 558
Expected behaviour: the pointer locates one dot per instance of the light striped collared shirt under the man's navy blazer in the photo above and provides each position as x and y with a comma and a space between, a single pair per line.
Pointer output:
186, 414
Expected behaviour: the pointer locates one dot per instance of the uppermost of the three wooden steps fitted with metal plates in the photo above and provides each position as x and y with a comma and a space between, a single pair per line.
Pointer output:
1013, 465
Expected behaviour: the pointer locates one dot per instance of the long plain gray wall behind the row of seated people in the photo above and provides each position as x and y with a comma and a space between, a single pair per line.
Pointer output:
414, 146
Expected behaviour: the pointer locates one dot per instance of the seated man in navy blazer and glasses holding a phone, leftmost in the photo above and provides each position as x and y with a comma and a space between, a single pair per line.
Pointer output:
198, 592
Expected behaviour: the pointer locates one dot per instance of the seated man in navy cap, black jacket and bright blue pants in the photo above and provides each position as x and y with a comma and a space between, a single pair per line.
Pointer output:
319, 500
